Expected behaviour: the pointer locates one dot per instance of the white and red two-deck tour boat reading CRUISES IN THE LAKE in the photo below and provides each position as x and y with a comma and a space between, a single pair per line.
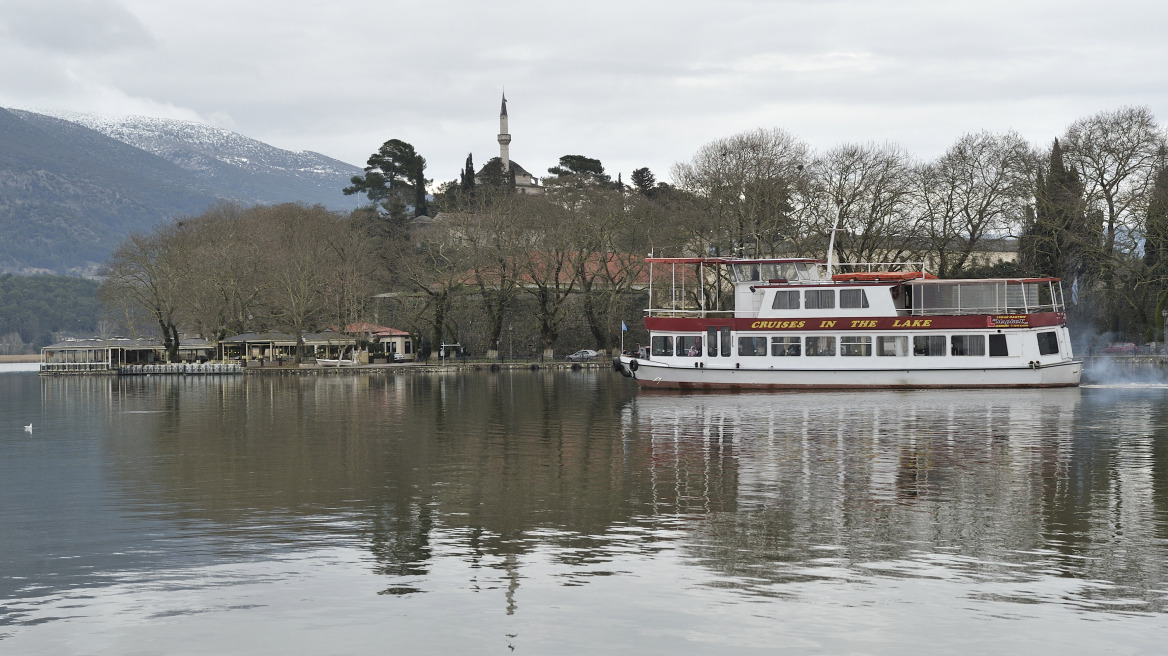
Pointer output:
795, 324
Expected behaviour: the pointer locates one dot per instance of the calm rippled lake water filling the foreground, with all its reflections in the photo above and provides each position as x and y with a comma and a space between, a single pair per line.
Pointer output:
567, 513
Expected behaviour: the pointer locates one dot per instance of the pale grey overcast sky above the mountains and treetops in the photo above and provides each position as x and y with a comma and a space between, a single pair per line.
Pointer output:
631, 83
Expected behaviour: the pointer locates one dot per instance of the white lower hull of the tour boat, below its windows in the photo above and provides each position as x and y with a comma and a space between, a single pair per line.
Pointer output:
658, 375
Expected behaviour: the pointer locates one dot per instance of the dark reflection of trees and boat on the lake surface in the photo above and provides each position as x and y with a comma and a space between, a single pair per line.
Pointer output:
489, 472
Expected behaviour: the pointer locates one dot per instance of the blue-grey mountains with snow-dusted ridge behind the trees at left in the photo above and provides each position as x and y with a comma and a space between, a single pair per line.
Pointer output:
71, 191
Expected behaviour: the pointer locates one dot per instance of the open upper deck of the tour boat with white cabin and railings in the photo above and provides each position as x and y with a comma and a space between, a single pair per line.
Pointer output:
789, 289
